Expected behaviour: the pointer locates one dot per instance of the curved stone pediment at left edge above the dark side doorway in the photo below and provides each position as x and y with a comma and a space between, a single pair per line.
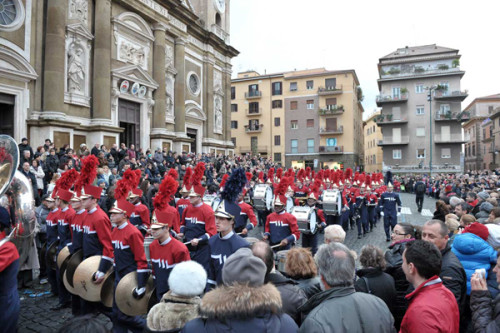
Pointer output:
14, 66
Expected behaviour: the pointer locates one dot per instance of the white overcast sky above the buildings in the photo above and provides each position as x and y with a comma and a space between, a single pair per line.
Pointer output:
283, 35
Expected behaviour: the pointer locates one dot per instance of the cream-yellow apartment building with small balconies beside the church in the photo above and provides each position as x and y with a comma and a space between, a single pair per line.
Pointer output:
299, 118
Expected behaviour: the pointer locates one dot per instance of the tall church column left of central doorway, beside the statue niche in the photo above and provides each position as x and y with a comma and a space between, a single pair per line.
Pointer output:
101, 94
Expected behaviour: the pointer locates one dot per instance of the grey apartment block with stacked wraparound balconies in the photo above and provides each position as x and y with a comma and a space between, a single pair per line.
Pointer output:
418, 129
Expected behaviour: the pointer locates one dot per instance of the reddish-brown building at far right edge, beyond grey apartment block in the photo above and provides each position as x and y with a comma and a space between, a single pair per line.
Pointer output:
479, 141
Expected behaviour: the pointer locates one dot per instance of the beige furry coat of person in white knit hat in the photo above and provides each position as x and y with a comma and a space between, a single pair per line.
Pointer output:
172, 313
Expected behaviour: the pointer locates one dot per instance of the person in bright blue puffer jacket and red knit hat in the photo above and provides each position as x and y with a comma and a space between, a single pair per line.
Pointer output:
473, 250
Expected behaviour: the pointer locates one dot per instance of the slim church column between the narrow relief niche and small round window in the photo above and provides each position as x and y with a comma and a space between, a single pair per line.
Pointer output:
180, 86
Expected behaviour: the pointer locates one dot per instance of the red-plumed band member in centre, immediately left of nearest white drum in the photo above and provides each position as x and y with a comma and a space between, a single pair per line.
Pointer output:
281, 227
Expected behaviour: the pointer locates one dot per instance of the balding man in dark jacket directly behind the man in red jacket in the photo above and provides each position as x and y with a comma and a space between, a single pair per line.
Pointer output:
452, 271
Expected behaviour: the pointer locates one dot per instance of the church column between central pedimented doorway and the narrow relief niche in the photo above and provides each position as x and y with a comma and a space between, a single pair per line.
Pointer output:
160, 94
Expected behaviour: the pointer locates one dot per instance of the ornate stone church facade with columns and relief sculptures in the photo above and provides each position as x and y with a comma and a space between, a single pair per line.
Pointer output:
154, 73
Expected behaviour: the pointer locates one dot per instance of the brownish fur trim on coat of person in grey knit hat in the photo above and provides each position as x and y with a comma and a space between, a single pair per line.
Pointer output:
241, 302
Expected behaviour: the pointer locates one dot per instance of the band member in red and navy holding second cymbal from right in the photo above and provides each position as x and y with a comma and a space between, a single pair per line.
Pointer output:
96, 232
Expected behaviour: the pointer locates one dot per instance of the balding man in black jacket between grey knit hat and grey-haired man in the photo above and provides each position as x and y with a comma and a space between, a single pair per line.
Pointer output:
292, 296
